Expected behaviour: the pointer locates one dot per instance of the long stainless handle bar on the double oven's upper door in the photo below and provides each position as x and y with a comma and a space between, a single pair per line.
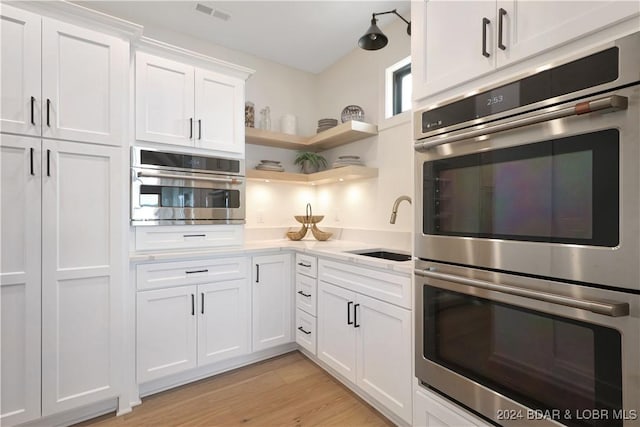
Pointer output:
608, 104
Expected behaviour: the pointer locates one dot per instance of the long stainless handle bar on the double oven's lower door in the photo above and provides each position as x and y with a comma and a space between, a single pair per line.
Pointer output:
613, 309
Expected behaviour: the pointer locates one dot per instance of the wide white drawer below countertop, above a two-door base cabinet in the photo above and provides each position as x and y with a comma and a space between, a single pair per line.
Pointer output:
167, 274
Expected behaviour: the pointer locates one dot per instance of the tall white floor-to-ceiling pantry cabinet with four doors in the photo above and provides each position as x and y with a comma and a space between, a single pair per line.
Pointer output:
62, 169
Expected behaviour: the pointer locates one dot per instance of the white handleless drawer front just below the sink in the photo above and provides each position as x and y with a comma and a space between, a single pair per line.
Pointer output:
379, 284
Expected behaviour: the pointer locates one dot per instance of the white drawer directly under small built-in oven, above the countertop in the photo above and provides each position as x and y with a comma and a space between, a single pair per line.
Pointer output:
185, 236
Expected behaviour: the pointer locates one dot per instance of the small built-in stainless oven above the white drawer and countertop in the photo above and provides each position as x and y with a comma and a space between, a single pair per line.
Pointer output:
177, 188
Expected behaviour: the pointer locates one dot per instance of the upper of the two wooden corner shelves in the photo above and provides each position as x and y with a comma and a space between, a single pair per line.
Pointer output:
334, 137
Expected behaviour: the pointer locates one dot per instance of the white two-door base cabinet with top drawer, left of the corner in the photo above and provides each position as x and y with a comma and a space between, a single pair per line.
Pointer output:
181, 327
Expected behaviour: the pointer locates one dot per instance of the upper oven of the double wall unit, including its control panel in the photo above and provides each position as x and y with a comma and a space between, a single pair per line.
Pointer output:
540, 175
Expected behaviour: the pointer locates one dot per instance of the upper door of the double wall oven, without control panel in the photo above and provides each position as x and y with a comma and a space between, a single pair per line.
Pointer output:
556, 198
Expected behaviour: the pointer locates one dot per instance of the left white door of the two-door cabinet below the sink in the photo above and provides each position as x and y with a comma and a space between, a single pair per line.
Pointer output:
336, 331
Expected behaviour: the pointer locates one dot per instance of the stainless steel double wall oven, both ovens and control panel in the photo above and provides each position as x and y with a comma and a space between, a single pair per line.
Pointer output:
528, 239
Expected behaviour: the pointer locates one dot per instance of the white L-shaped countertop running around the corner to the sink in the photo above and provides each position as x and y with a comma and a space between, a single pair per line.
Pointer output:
335, 249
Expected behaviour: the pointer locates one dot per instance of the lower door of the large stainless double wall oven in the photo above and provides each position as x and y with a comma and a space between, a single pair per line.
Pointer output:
523, 351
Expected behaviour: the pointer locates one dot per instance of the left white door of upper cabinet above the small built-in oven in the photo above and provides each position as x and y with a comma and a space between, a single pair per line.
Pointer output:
164, 100
